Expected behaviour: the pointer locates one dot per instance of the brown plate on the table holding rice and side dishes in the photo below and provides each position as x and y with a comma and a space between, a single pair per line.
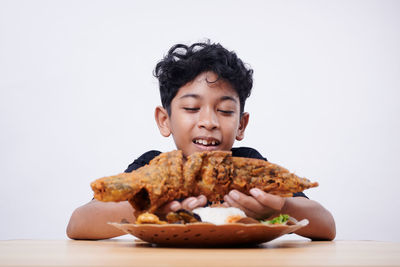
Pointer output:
207, 234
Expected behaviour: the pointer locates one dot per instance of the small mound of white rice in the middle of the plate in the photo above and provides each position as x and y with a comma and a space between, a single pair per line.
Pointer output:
217, 215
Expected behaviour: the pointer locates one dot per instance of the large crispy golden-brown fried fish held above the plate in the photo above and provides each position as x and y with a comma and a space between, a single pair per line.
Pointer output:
213, 174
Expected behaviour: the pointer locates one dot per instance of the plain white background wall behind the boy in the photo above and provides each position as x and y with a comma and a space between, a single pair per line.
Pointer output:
77, 99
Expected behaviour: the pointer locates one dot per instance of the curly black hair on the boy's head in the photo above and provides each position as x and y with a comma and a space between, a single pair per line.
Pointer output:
184, 63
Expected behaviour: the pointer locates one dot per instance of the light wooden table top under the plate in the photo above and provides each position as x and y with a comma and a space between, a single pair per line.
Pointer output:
137, 253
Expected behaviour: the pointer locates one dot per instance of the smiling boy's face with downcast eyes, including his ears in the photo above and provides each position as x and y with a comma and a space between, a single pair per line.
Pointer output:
204, 116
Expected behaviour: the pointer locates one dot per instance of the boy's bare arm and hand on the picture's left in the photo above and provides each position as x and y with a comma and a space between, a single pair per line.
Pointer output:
90, 220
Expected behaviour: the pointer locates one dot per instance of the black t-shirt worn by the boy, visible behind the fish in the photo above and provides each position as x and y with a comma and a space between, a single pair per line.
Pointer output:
244, 152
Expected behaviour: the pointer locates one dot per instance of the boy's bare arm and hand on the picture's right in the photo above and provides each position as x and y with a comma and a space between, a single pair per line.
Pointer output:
262, 205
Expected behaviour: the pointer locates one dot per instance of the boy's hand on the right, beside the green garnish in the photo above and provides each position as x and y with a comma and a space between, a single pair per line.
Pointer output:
259, 205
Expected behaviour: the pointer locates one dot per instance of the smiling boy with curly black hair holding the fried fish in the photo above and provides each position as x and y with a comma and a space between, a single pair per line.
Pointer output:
203, 90
